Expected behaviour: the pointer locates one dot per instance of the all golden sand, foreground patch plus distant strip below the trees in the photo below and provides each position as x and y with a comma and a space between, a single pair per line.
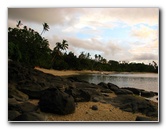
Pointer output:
105, 112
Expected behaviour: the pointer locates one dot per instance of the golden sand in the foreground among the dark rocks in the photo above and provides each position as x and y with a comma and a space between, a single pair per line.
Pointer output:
84, 113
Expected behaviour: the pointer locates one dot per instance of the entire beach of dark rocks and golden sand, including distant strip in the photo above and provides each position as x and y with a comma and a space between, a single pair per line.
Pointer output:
37, 96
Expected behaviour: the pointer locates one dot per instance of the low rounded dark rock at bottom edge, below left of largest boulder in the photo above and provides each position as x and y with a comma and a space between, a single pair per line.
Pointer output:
31, 116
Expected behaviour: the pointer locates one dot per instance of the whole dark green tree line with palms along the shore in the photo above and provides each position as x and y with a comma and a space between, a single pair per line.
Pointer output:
28, 47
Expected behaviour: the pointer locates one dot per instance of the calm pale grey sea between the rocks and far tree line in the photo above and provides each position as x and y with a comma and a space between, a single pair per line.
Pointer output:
146, 81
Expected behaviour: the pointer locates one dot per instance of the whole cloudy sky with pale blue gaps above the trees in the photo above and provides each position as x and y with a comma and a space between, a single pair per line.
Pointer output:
122, 34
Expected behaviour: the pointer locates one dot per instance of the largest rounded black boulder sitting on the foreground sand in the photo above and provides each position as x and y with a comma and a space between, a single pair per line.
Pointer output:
55, 101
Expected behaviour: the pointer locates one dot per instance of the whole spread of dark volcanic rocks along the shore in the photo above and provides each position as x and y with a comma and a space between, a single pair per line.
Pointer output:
58, 95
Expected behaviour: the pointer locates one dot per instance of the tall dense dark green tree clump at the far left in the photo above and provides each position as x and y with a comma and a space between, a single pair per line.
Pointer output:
27, 46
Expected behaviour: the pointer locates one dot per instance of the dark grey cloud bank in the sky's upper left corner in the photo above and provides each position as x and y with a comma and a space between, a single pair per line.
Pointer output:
40, 15
